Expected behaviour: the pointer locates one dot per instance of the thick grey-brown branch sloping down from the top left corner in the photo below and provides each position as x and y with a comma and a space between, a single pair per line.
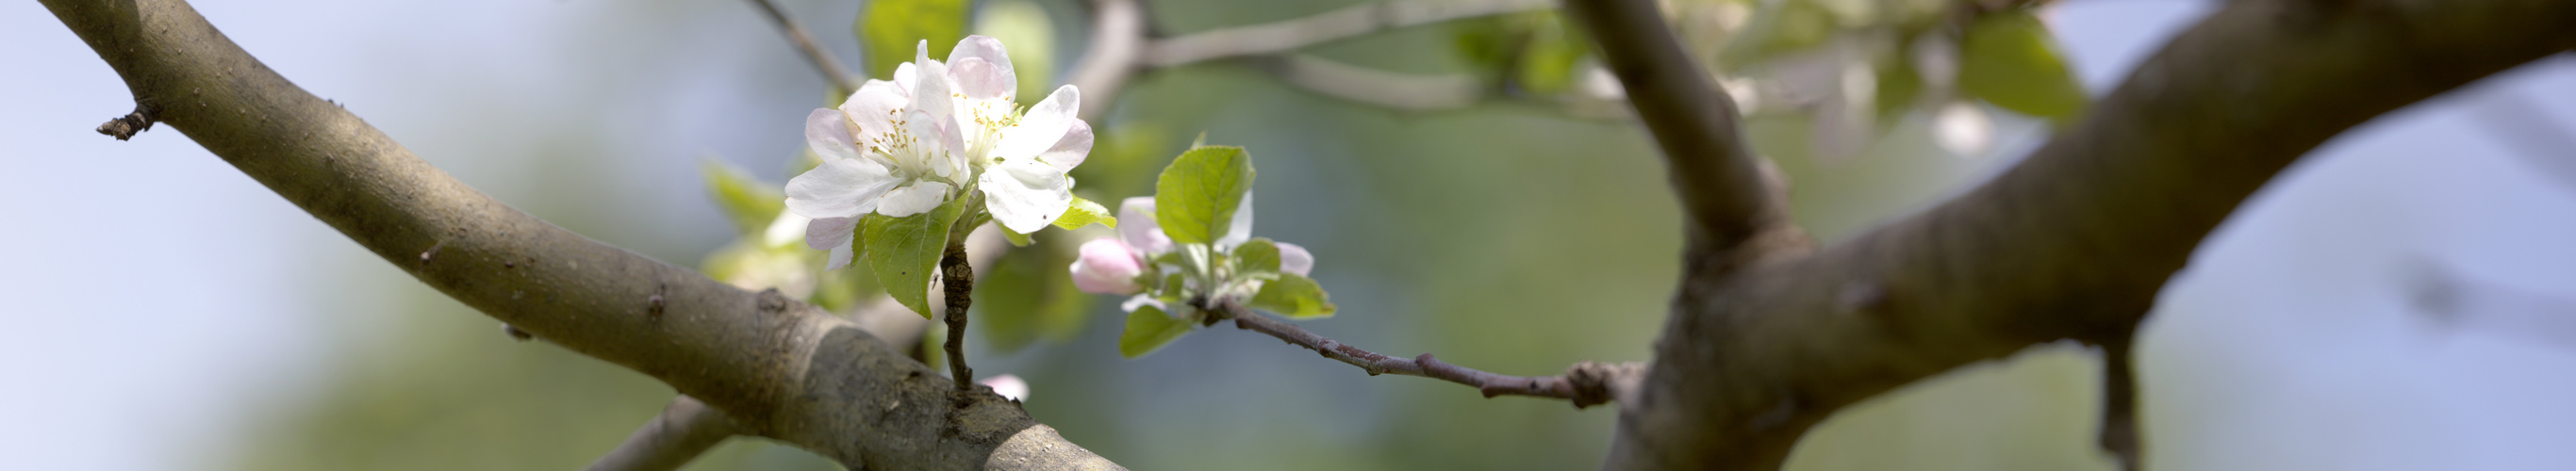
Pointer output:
777, 367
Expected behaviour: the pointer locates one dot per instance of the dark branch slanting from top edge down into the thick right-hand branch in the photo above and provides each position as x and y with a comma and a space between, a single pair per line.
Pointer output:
1730, 210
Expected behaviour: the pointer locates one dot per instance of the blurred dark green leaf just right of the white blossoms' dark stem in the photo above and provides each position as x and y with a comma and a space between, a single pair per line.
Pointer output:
1027, 297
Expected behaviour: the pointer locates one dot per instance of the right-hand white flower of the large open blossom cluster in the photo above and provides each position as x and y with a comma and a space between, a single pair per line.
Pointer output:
1021, 156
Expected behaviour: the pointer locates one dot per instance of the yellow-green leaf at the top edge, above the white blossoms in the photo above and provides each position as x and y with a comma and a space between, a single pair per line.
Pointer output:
895, 27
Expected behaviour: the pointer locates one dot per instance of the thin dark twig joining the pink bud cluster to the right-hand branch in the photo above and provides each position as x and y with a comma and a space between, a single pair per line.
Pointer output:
1586, 385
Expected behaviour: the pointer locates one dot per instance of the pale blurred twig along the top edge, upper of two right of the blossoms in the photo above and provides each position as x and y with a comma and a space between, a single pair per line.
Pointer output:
1323, 27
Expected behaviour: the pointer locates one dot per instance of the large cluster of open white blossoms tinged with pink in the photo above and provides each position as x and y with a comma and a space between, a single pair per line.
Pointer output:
936, 133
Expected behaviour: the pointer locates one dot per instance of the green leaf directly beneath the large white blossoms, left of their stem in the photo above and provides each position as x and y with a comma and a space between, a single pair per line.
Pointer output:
905, 254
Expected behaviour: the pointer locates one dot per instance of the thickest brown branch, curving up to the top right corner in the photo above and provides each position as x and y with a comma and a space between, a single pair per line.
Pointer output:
2070, 243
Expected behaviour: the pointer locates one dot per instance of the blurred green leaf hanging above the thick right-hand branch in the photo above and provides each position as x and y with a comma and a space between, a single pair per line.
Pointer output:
2011, 60
